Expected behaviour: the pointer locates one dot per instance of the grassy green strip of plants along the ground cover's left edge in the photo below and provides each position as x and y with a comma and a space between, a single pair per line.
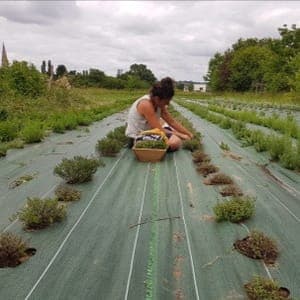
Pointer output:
30, 121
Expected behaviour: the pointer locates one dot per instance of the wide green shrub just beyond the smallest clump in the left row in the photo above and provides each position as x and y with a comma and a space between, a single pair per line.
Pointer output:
78, 169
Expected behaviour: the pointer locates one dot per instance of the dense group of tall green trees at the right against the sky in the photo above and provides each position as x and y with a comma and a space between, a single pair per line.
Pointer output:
252, 64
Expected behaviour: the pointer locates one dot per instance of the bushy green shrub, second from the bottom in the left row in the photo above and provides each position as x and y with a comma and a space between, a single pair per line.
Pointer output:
39, 213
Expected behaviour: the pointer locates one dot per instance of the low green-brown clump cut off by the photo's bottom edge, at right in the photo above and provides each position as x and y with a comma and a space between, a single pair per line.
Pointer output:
260, 288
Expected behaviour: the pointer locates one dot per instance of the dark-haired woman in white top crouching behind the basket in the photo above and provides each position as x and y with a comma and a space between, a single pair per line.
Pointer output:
145, 114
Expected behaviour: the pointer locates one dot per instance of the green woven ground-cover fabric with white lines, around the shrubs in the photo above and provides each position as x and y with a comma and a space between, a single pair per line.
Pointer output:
147, 230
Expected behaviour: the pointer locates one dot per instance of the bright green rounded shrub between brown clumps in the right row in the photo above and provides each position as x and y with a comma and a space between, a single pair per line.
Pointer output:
235, 210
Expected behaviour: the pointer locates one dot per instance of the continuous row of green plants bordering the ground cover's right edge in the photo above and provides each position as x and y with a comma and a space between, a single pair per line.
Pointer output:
280, 148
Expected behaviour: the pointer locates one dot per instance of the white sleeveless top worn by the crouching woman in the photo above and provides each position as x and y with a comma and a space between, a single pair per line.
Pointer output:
135, 121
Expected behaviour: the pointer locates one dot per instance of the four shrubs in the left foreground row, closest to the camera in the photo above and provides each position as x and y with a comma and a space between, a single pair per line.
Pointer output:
40, 213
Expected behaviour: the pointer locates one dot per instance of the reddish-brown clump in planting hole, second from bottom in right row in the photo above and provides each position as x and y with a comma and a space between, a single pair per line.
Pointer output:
258, 246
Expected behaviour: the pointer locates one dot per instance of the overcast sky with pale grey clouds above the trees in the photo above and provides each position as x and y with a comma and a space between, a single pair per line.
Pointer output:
173, 38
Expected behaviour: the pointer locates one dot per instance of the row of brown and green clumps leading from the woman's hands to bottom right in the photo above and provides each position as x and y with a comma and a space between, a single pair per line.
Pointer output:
238, 209
